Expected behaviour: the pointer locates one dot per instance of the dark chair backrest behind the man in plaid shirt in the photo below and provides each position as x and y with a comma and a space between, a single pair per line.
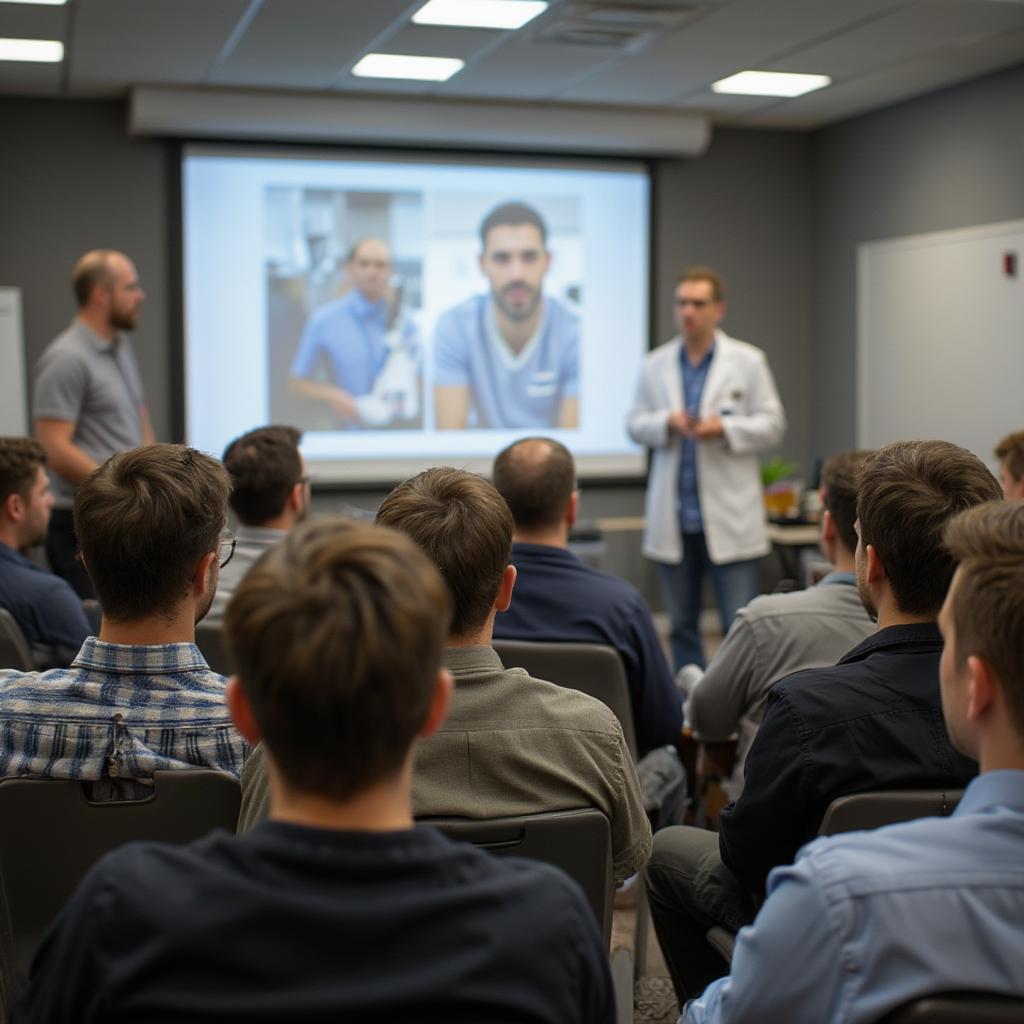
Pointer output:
52, 835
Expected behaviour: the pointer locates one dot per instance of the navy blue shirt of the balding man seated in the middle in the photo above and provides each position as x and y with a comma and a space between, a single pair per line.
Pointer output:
560, 599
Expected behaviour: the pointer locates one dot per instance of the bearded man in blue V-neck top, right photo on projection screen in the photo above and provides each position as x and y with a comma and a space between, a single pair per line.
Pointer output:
510, 359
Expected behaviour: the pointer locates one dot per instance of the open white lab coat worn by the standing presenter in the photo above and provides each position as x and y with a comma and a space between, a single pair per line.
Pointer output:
742, 391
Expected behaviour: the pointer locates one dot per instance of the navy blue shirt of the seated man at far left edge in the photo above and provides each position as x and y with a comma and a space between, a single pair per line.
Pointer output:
47, 609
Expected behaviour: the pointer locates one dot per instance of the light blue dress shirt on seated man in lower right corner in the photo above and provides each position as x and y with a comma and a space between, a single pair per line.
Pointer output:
866, 922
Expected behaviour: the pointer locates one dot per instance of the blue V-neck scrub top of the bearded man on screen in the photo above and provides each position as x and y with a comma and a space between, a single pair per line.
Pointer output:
507, 390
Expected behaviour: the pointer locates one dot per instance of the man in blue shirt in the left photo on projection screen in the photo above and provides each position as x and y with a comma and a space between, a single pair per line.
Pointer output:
351, 335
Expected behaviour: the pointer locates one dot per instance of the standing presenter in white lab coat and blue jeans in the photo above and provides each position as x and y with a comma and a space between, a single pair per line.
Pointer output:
706, 406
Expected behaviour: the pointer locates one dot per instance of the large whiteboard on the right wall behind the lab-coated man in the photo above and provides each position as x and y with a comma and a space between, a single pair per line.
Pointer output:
941, 338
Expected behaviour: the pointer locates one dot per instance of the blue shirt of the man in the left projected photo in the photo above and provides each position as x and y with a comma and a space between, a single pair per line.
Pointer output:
350, 333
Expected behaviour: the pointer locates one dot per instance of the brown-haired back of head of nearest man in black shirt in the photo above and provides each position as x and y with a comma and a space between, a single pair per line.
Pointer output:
337, 635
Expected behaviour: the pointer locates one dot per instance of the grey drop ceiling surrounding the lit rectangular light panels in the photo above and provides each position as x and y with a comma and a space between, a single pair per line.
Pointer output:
661, 55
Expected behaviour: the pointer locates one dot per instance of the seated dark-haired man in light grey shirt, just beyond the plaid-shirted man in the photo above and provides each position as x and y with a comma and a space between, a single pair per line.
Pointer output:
270, 495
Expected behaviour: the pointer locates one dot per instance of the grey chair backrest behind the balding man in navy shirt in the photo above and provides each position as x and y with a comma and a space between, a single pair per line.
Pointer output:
591, 668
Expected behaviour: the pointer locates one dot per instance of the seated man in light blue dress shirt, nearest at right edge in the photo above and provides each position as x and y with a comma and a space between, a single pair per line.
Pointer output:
933, 906
